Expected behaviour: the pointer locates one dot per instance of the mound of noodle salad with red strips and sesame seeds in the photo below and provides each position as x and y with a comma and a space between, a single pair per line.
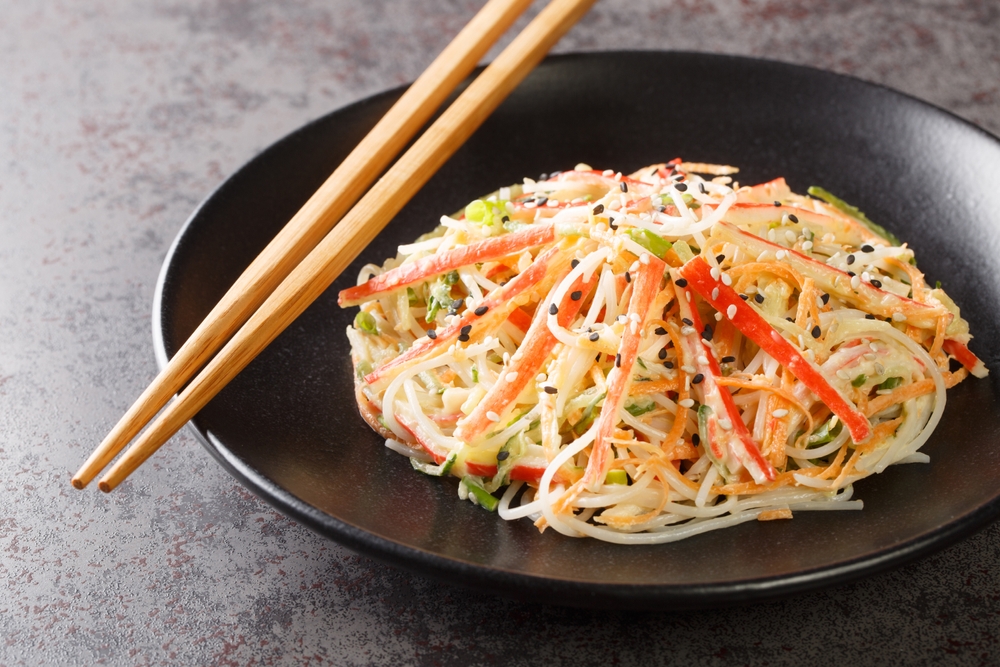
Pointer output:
643, 358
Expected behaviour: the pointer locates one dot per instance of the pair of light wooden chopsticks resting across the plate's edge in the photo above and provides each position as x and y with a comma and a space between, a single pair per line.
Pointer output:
310, 252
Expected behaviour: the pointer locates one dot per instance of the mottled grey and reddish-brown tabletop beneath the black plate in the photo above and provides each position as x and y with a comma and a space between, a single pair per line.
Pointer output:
116, 119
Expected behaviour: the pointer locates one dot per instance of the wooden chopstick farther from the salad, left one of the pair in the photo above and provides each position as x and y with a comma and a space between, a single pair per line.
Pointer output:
316, 217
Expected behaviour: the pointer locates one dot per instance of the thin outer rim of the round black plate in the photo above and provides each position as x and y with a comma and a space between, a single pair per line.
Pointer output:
511, 583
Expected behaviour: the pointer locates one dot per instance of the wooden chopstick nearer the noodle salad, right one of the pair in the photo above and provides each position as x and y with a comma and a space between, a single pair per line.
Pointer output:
345, 241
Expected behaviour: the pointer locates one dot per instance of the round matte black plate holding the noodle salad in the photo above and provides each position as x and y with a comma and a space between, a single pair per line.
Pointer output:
288, 427
